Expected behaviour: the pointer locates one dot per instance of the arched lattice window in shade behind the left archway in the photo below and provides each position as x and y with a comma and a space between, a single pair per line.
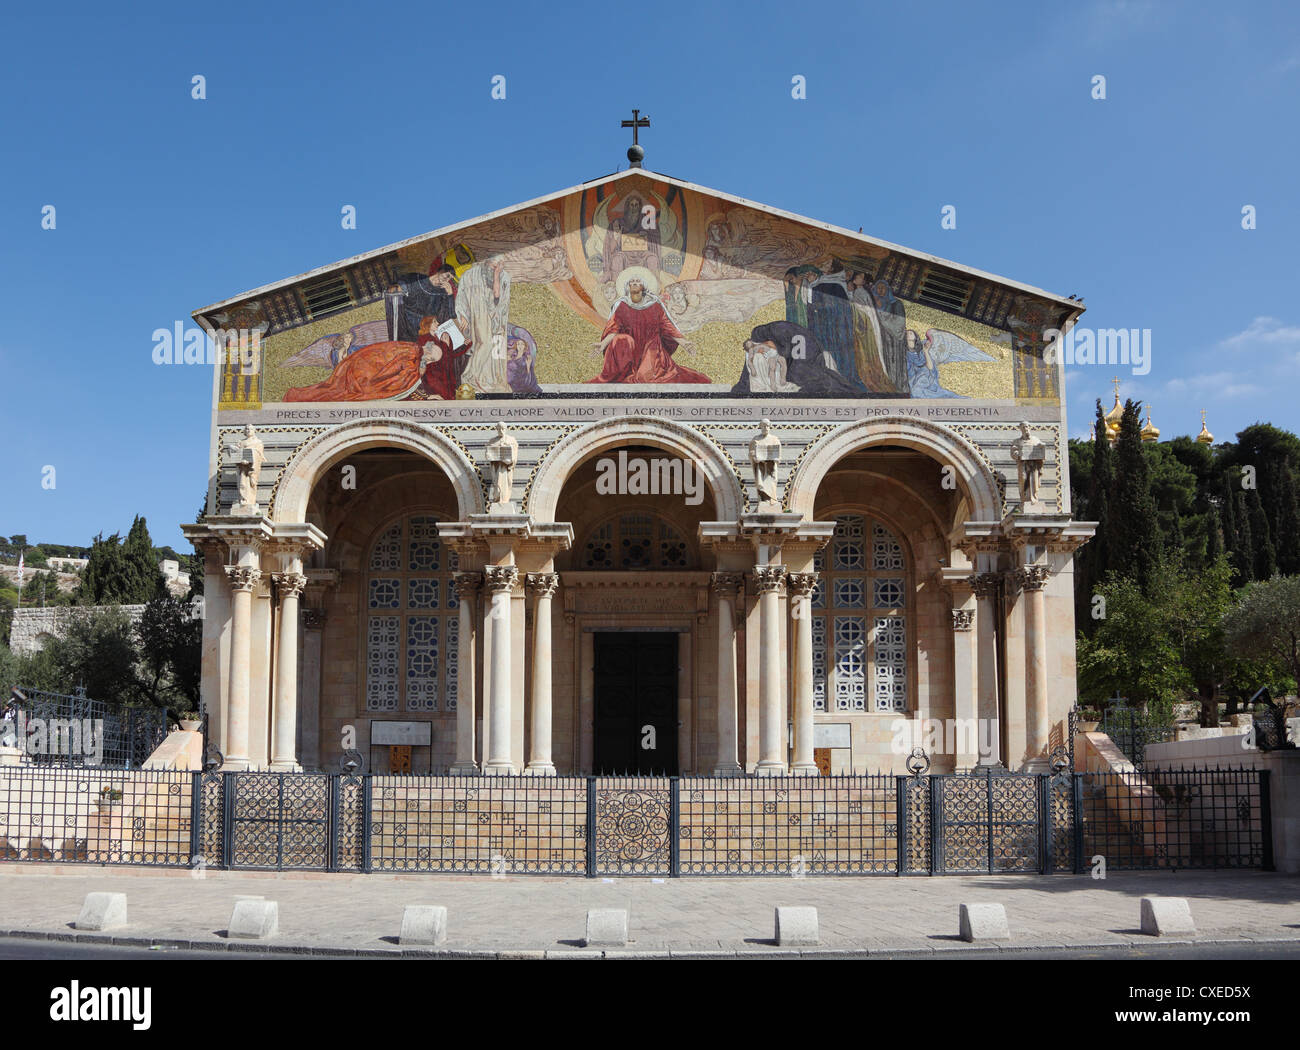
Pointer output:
411, 627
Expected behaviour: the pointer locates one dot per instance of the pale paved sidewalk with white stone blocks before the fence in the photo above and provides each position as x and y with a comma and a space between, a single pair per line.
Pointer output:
535, 916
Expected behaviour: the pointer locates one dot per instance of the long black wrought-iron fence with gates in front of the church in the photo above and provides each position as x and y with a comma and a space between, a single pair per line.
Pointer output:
882, 825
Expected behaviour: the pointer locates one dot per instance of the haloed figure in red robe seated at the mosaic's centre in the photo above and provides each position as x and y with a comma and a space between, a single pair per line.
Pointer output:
639, 342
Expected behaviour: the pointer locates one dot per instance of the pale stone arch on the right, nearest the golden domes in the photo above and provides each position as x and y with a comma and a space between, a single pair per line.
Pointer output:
937, 442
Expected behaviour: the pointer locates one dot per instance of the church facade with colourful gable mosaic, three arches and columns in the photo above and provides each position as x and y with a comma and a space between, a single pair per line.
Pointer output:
639, 478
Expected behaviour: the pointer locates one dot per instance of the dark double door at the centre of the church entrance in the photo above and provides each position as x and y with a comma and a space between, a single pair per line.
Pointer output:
636, 704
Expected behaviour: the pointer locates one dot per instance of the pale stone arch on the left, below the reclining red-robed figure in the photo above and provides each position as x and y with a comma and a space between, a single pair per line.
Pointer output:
323, 452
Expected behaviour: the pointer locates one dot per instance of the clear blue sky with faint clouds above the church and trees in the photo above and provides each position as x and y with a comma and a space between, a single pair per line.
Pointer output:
167, 203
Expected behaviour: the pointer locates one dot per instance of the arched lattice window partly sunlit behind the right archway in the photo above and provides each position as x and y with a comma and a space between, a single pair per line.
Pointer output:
860, 621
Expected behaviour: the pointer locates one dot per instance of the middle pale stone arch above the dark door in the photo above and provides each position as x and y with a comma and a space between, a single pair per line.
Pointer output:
673, 437
